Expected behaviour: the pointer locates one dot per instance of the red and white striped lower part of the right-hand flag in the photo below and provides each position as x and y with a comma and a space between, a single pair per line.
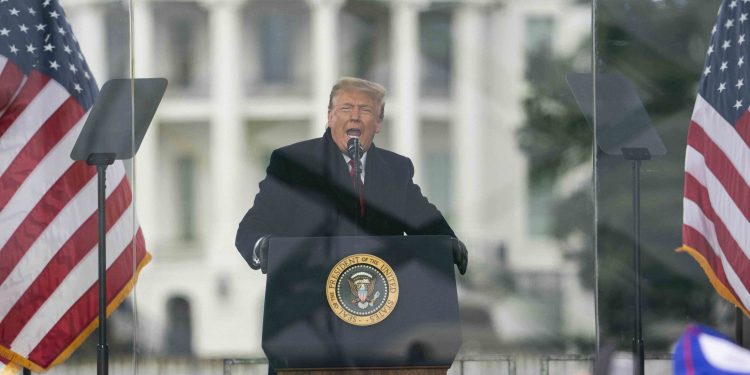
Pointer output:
716, 204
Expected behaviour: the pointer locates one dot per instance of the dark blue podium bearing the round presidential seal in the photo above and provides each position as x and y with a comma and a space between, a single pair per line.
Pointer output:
361, 305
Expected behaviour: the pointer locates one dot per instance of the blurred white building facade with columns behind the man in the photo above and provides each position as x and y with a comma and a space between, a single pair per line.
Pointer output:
248, 76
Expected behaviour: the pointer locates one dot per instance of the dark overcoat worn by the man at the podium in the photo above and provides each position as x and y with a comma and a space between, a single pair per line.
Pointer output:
308, 192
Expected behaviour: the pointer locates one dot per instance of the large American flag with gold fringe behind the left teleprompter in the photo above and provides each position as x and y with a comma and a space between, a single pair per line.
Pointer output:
48, 203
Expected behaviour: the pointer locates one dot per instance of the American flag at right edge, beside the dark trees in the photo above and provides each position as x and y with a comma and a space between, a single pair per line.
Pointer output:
716, 205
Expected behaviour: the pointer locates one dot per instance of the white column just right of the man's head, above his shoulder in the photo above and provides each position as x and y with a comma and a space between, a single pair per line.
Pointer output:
405, 82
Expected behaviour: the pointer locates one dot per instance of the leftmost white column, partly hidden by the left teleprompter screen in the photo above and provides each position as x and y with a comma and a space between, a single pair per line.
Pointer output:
146, 183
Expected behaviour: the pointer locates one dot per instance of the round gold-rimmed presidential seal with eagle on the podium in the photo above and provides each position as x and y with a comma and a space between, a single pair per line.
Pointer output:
362, 289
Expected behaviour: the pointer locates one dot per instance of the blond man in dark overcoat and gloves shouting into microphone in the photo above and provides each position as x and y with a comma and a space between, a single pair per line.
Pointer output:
341, 184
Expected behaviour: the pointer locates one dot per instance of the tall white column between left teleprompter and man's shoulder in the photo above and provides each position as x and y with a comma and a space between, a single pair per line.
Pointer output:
226, 131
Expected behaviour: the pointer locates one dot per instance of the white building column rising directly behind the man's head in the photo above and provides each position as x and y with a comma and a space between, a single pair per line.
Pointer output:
325, 67
